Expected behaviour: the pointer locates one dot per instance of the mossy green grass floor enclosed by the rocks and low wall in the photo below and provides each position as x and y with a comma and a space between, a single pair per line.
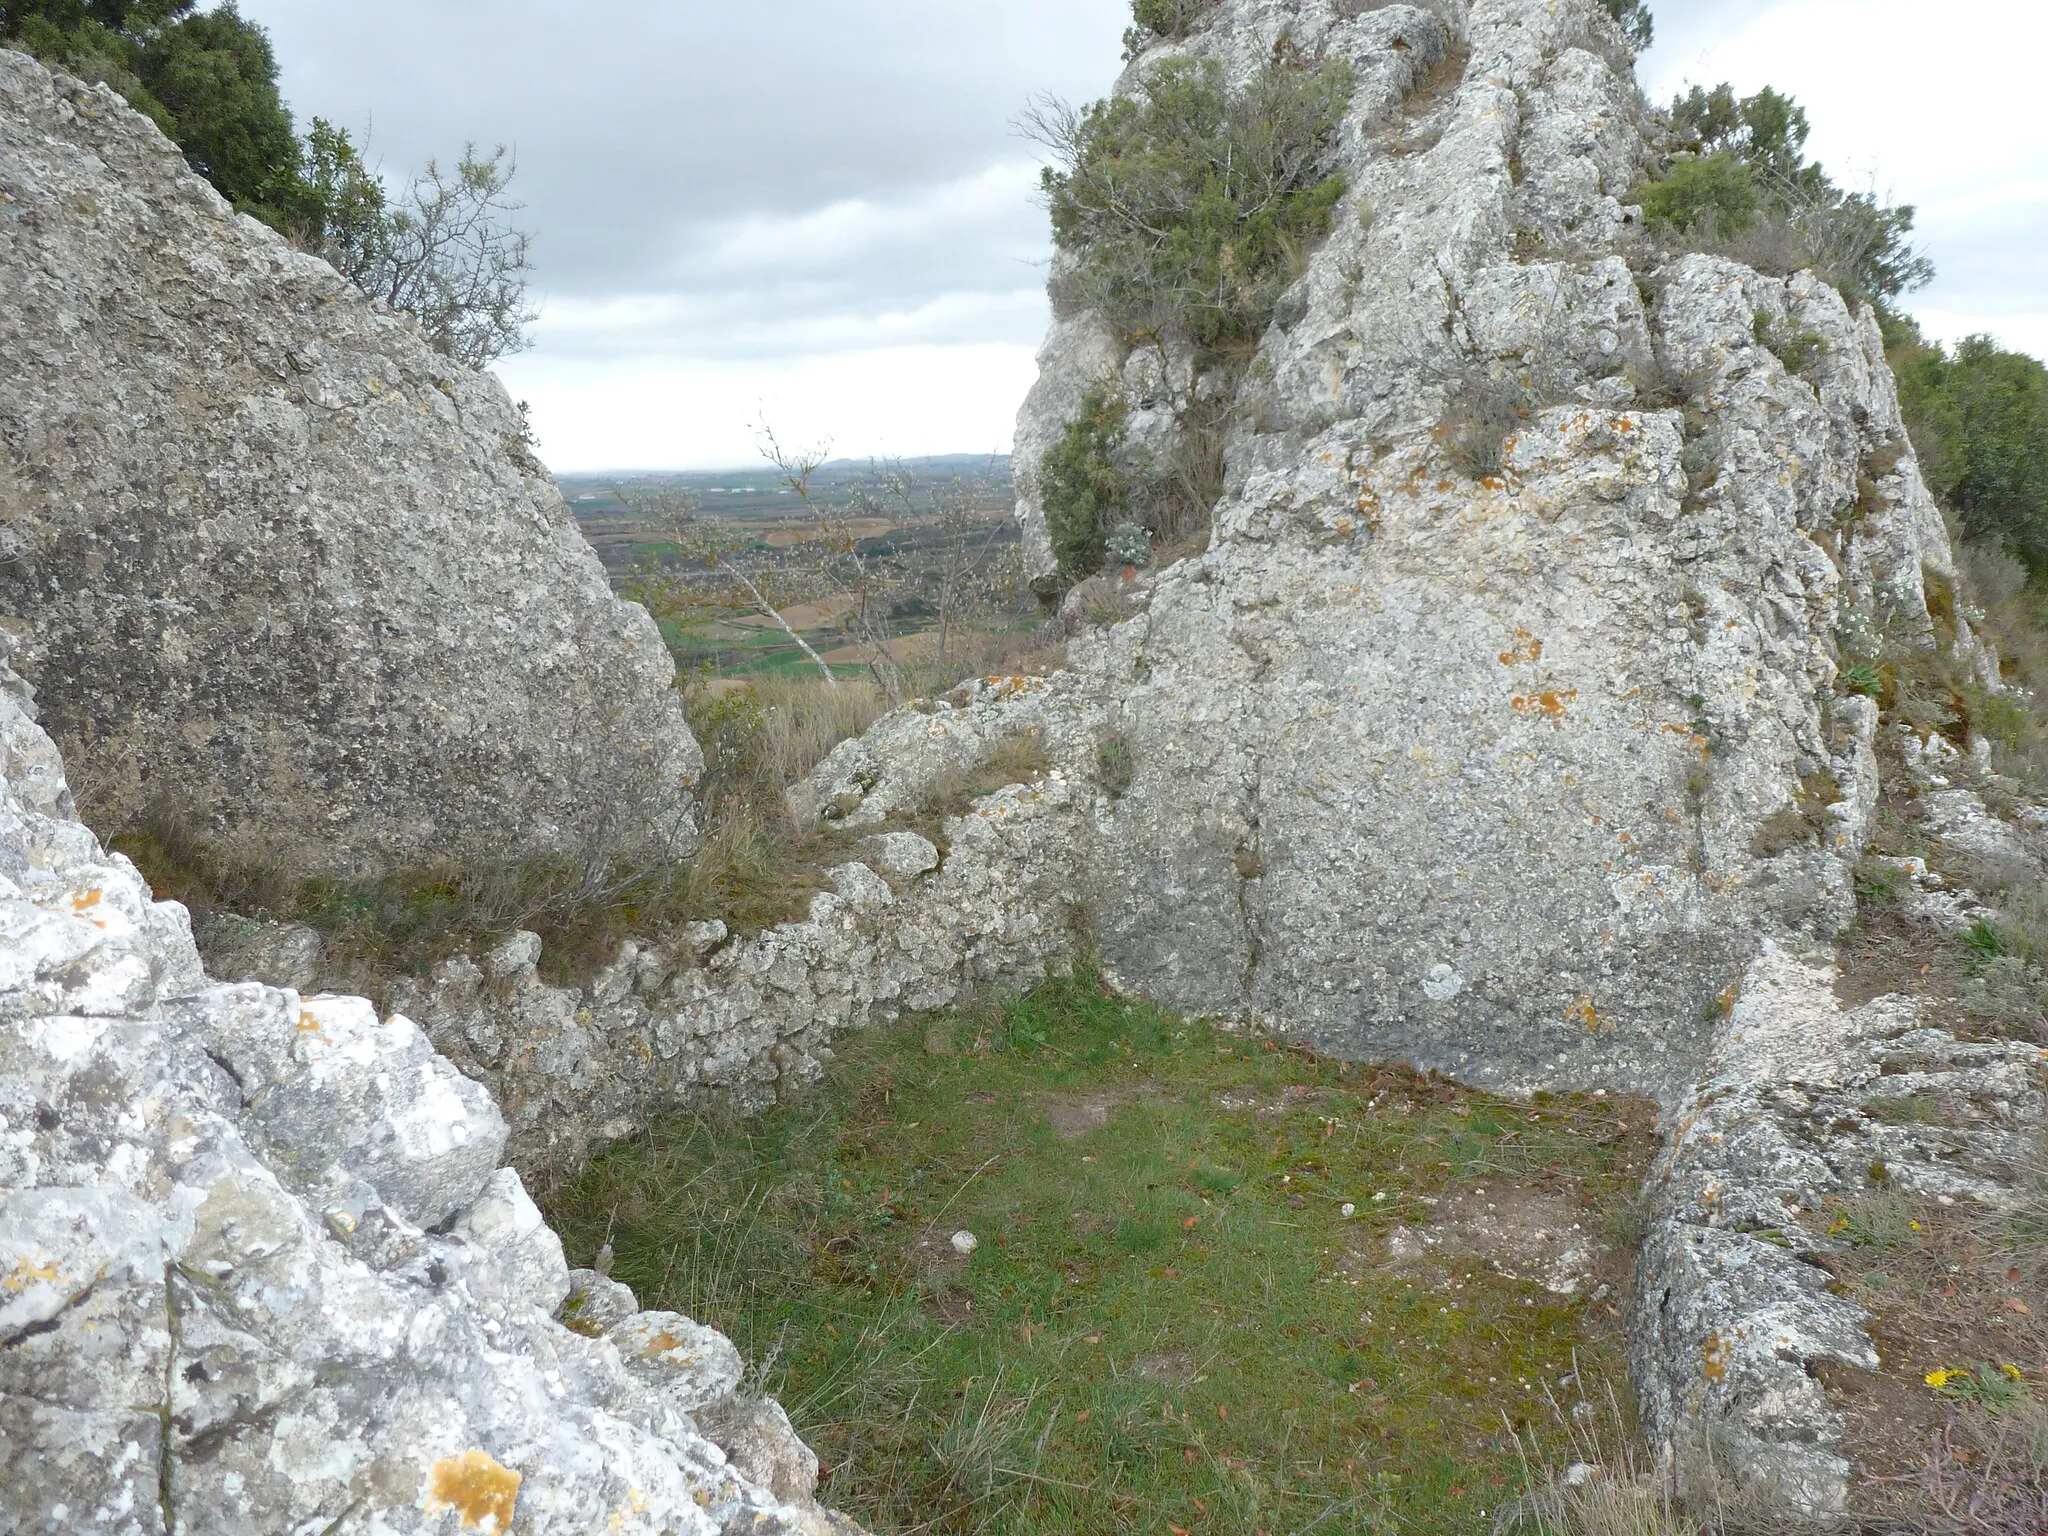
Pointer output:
1170, 1324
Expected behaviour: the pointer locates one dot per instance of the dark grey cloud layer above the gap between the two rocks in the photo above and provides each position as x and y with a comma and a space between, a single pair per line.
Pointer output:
644, 126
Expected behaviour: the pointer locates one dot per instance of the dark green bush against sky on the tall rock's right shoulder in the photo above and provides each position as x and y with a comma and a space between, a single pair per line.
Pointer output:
1744, 177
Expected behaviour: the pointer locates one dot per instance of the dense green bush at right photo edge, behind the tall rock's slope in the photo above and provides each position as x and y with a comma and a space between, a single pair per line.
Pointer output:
1979, 421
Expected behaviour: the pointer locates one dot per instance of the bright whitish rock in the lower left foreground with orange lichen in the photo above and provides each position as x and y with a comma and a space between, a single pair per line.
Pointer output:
261, 1271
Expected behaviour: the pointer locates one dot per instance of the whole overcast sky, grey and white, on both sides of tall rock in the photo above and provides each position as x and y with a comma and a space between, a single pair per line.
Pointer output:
816, 212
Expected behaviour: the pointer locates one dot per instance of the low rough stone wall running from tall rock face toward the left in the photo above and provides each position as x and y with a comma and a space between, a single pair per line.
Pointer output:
716, 1021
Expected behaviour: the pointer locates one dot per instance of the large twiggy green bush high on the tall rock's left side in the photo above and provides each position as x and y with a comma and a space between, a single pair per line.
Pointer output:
1191, 208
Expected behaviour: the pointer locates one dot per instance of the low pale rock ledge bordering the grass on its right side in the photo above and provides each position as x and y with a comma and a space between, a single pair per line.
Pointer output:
1736, 1322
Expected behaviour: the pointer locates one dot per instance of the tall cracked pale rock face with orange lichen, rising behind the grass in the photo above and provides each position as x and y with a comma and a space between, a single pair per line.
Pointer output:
1480, 773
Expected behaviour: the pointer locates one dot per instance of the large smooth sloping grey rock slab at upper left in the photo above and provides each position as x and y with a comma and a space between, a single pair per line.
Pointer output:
282, 570
